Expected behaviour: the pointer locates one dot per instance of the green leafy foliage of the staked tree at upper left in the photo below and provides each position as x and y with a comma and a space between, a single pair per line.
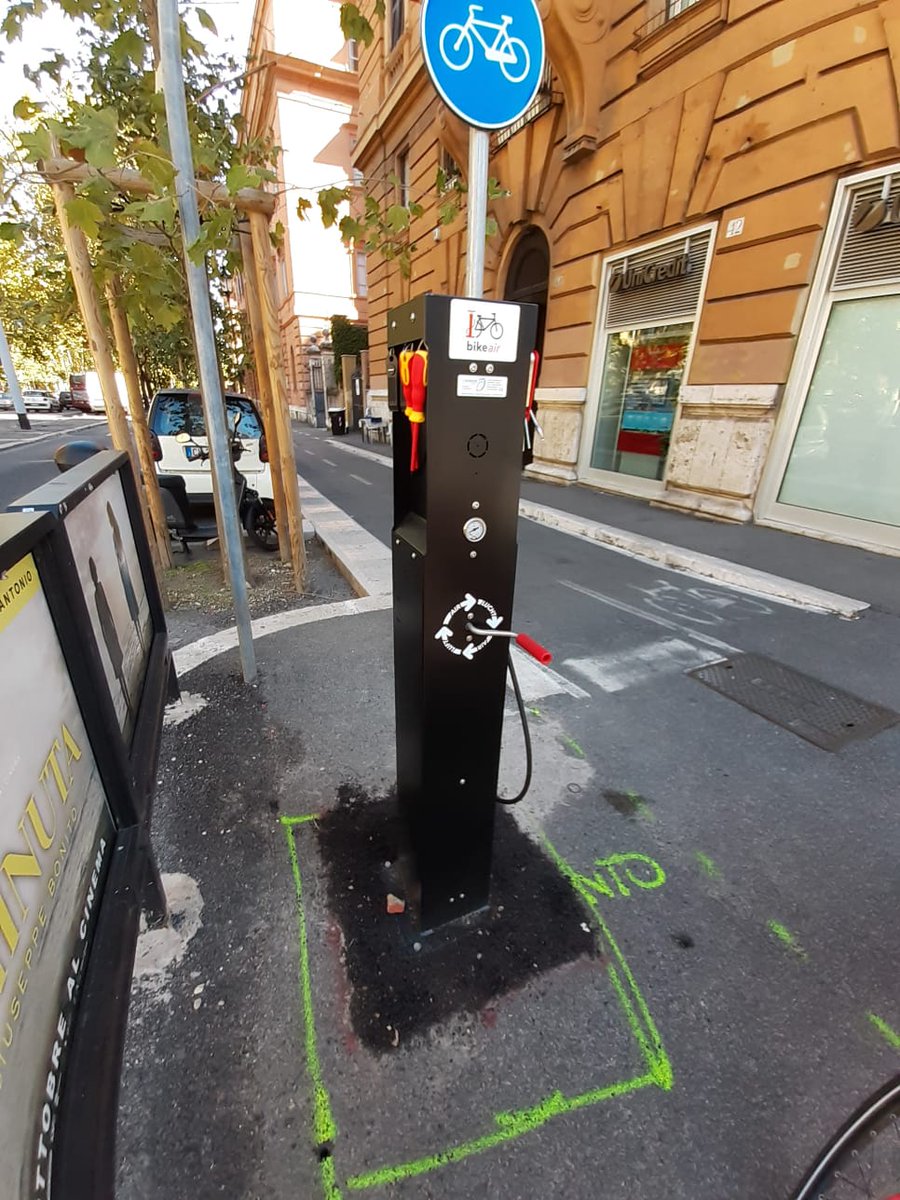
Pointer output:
109, 115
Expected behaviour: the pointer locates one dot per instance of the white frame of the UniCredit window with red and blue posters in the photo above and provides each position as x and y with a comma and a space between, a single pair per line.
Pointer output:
615, 481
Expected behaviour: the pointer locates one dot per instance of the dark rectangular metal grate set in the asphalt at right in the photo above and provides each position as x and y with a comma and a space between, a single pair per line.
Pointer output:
824, 716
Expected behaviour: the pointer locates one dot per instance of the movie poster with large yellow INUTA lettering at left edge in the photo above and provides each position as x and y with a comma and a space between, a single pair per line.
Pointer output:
56, 836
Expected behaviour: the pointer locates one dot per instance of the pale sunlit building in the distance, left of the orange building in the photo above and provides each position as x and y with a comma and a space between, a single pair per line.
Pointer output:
302, 91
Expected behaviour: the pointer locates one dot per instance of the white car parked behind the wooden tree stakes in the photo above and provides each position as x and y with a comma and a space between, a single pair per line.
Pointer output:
179, 411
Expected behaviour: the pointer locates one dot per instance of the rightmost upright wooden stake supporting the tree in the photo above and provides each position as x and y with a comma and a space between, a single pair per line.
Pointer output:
272, 333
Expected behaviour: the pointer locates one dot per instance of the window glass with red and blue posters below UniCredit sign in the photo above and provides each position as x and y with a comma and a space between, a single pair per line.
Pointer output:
639, 393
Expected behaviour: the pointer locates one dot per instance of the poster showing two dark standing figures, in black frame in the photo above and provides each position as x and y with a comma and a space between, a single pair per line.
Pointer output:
104, 548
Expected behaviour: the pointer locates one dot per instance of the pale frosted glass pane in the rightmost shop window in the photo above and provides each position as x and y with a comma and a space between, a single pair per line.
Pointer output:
847, 454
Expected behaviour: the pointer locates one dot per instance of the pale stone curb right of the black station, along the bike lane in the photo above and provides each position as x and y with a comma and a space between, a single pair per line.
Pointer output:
706, 567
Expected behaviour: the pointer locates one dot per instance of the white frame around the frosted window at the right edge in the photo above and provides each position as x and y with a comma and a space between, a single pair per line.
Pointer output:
769, 509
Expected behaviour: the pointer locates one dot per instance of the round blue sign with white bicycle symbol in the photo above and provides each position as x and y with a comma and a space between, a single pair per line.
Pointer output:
485, 59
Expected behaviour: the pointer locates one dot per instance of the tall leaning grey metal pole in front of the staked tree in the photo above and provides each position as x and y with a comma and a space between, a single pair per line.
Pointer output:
173, 86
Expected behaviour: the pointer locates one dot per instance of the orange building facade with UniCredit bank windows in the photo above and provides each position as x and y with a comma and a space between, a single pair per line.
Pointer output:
705, 203
